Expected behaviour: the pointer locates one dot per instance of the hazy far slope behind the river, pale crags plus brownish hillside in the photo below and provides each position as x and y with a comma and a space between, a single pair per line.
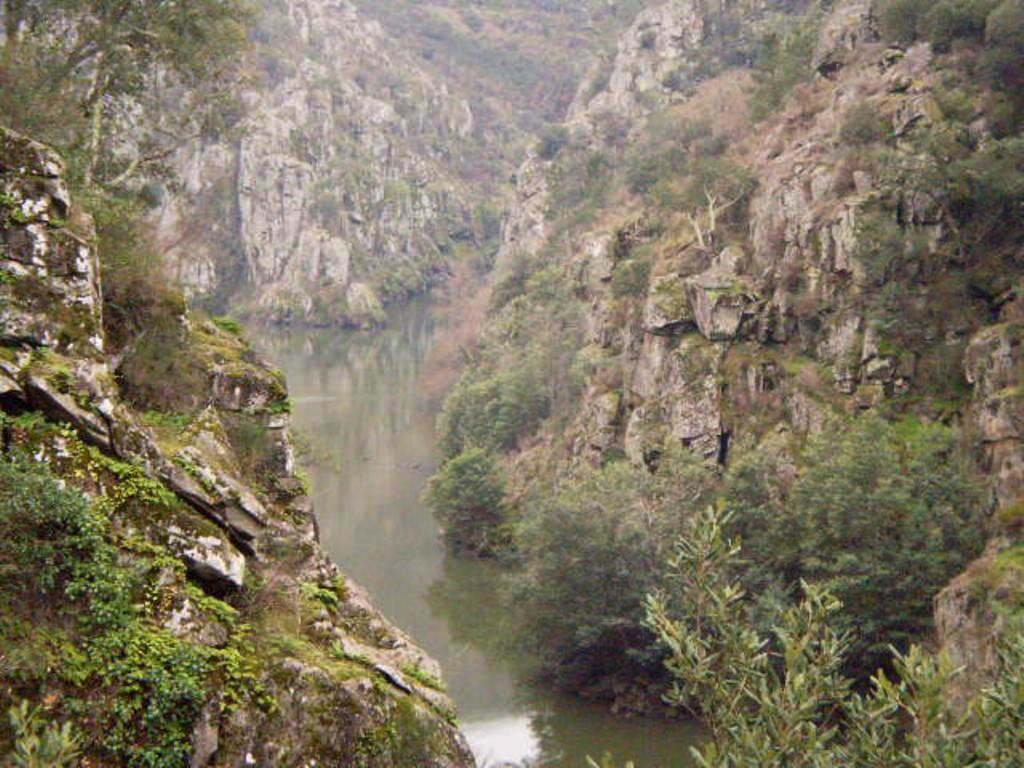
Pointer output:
377, 146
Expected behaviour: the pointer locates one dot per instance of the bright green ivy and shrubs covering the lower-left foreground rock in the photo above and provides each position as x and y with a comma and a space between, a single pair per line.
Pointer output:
56, 545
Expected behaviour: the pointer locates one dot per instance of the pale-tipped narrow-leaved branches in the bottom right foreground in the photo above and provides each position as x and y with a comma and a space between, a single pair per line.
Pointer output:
785, 703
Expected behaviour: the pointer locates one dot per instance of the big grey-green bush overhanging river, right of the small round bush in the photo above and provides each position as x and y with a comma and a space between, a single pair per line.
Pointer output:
592, 548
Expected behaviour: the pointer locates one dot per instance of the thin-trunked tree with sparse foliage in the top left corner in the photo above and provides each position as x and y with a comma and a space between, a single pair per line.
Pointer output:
170, 66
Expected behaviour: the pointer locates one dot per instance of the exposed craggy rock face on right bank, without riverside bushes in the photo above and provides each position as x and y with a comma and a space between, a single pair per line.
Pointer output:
845, 287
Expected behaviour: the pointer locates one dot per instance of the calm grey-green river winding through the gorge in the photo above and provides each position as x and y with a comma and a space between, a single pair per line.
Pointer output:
360, 401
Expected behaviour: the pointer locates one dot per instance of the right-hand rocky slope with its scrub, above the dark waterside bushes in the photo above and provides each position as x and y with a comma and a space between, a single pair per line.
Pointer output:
736, 288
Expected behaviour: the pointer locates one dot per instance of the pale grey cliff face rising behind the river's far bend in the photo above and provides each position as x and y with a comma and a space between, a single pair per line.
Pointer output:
345, 186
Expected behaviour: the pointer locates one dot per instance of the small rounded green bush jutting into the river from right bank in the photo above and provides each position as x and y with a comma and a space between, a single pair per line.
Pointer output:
468, 496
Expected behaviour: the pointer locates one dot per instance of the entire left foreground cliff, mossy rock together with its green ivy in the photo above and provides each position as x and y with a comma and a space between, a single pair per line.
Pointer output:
197, 620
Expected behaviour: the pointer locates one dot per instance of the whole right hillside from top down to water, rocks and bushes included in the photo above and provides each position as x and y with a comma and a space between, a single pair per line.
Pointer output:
776, 273
